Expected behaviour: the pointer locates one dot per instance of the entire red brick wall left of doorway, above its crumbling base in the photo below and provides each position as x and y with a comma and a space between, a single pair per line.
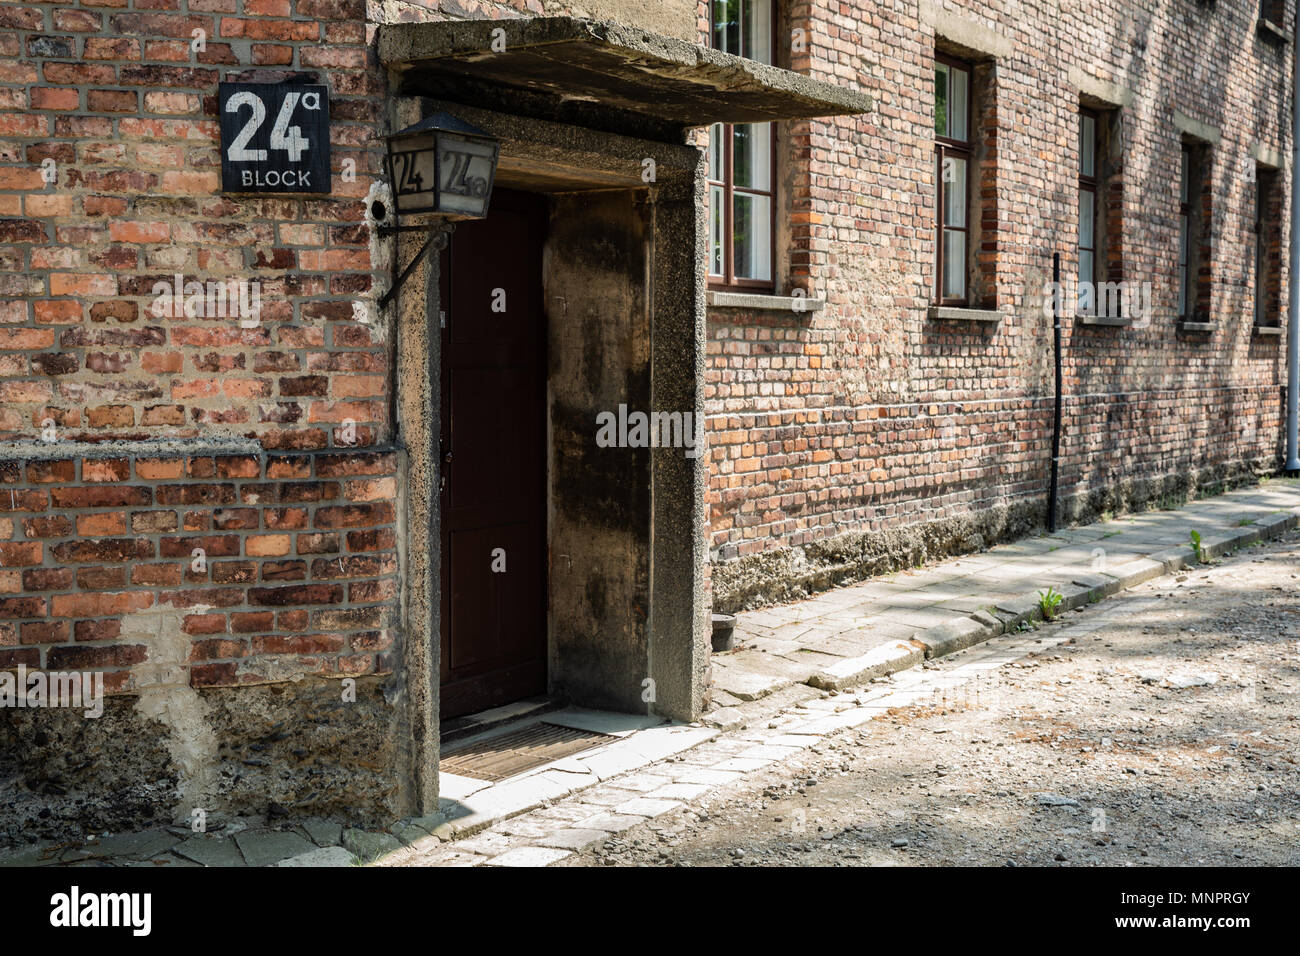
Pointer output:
301, 560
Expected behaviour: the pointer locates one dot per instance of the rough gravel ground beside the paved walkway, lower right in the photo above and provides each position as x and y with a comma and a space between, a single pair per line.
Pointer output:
1163, 733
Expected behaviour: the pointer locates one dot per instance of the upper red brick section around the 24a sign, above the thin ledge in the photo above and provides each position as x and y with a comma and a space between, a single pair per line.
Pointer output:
115, 96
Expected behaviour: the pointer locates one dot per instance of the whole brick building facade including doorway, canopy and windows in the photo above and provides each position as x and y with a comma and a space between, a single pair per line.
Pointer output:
297, 526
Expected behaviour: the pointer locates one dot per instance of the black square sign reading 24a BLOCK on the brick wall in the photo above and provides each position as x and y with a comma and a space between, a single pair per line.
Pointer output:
275, 137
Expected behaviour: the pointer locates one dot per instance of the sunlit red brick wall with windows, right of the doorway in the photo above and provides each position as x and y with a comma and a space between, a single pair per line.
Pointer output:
868, 416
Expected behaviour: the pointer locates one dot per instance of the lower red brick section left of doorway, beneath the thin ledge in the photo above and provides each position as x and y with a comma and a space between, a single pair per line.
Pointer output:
298, 566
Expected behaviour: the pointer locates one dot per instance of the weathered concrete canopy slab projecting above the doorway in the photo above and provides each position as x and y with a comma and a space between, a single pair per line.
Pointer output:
600, 75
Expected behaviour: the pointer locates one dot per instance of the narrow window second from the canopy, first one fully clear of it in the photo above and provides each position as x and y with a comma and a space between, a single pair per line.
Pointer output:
954, 149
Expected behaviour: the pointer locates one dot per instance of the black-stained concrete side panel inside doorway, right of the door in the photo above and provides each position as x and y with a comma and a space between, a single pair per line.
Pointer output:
600, 498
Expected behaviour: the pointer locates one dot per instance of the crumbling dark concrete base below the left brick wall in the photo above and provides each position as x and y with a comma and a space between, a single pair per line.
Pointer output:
274, 750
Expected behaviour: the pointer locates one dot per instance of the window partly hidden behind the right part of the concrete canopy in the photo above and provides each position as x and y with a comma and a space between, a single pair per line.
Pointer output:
742, 158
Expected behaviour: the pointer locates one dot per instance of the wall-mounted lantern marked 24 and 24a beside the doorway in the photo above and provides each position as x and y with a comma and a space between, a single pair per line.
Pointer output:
441, 167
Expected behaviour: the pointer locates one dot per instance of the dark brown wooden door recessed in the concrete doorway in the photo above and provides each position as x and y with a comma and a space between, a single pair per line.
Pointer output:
495, 458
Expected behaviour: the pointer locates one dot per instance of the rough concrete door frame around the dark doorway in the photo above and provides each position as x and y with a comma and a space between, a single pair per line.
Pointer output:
548, 157
